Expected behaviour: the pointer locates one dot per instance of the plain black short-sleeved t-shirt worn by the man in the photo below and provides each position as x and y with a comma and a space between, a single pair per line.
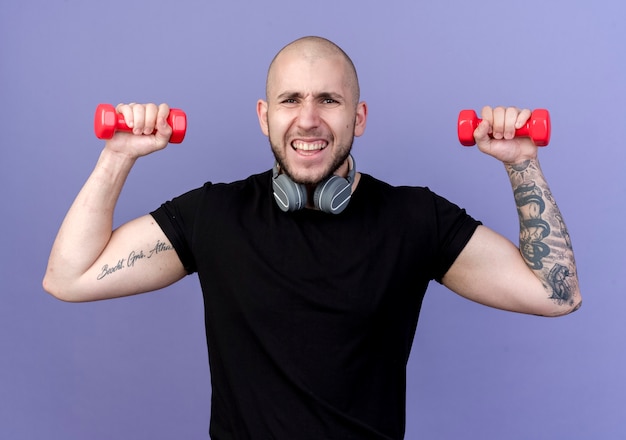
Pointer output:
310, 317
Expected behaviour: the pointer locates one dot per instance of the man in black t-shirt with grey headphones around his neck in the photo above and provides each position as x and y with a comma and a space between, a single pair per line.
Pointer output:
313, 274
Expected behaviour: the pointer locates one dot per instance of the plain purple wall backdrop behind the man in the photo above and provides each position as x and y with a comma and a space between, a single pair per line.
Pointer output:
137, 367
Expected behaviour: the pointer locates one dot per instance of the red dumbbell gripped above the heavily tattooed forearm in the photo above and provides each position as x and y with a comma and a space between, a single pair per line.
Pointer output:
537, 127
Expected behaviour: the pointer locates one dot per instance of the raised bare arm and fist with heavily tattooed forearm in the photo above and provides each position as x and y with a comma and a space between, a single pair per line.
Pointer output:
540, 276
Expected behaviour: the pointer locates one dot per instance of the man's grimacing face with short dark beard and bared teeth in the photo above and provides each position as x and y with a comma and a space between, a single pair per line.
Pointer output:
310, 116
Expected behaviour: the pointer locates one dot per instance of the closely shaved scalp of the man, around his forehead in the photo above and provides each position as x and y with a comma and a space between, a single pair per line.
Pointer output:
314, 49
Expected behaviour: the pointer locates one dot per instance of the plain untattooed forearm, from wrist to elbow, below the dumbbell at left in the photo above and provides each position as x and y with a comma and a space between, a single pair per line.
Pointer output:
88, 225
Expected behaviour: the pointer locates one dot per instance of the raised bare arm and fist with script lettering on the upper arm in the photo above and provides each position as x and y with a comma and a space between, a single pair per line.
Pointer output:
89, 261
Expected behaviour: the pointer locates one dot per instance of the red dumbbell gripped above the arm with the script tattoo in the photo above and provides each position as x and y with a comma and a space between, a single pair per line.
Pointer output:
107, 121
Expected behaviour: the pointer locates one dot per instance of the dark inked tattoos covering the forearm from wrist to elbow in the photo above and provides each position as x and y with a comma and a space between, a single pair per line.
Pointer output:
544, 240
